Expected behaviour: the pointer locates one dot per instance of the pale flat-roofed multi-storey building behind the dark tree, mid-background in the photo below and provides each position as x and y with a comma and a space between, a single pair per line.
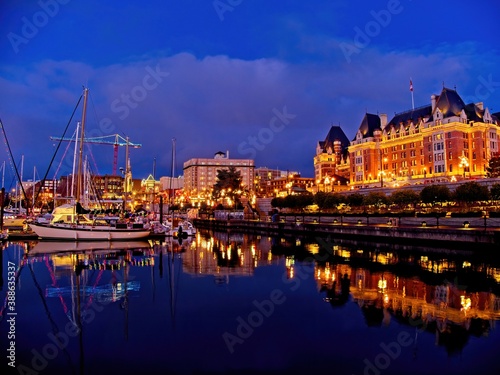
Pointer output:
200, 174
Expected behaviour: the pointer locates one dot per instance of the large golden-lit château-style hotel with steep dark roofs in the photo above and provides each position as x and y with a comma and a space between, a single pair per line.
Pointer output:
445, 141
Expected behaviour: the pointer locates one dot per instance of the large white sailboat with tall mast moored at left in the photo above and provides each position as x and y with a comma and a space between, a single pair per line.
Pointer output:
72, 222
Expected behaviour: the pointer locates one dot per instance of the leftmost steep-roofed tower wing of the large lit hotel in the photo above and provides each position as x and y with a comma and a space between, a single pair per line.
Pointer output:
331, 163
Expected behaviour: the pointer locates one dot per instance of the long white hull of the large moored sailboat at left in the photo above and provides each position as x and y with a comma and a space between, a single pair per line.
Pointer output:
86, 232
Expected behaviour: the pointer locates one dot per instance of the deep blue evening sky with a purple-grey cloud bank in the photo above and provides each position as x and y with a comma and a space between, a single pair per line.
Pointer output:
260, 79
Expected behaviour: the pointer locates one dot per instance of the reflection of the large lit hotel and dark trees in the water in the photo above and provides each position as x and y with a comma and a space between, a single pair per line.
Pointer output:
452, 297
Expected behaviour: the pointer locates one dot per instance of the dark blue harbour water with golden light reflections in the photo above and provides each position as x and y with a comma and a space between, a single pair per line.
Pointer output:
246, 304
